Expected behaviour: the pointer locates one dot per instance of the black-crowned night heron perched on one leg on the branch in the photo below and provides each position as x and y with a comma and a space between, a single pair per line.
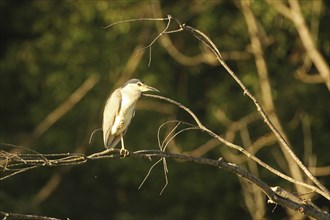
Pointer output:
119, 111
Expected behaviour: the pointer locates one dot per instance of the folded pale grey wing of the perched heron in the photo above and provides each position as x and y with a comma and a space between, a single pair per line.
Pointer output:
111, 109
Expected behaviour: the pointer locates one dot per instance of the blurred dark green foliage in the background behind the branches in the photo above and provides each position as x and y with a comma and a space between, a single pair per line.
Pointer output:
49, 48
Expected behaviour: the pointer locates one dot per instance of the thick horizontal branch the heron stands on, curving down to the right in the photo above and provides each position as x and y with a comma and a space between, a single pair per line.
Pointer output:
20, 160
